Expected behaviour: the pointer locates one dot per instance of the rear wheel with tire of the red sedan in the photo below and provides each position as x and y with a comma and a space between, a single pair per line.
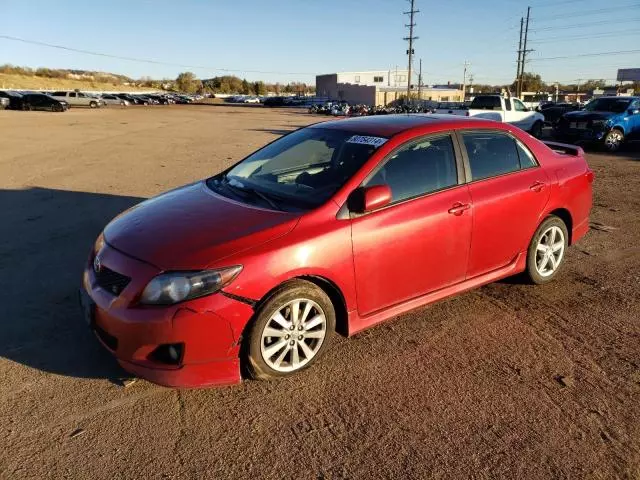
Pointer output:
550, 242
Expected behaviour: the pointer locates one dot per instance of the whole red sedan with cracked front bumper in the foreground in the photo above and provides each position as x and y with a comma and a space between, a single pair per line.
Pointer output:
334, 227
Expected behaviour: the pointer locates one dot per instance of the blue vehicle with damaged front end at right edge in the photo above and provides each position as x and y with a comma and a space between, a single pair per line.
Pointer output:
608, 121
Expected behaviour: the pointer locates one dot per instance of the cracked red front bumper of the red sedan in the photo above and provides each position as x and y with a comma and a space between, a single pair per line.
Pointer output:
209, 328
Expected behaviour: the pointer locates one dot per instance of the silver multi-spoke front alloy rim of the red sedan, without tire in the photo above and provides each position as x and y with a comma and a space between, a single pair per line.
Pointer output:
293, 335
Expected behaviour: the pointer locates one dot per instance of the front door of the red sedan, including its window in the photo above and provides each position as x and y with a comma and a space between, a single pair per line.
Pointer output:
420, 242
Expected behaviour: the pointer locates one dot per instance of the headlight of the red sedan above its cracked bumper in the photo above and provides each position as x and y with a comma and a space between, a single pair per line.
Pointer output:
174, 287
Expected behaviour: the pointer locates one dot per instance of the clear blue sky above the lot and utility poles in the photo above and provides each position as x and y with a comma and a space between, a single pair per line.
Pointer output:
296, 39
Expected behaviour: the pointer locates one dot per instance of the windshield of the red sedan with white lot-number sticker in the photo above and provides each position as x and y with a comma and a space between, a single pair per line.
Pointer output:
301, 170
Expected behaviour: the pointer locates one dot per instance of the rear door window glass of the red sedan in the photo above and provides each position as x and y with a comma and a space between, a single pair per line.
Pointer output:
491, 154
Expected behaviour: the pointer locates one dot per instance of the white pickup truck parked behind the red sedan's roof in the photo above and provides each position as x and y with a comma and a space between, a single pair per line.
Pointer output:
505, 109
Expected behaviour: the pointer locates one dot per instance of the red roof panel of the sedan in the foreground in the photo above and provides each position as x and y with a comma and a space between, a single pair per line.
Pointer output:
390, 125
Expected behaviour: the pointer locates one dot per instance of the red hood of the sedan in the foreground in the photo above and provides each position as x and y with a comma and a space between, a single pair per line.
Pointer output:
191, 227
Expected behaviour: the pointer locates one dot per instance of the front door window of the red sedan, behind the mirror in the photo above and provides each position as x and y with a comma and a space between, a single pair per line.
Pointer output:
419, 168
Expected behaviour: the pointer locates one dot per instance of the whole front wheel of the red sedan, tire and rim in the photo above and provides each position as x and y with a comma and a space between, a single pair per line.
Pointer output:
291, 348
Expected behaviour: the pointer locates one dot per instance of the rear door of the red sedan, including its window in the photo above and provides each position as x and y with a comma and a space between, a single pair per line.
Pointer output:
508, 191
